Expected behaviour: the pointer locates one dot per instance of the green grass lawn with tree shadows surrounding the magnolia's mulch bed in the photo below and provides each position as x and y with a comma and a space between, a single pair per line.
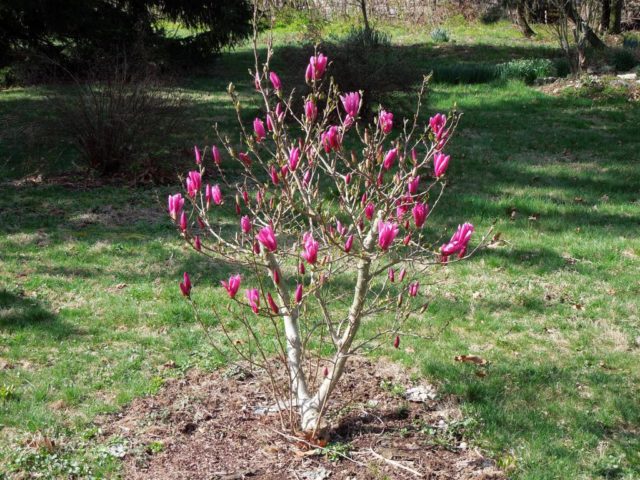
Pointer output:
90, 312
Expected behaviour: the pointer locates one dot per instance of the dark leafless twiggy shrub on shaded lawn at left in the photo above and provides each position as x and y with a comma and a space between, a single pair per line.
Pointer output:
117, 114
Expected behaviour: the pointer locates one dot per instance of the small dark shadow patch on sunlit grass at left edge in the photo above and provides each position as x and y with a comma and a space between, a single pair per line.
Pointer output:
18, 313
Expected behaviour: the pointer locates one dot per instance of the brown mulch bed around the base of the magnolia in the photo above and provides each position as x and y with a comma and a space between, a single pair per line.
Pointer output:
212, 426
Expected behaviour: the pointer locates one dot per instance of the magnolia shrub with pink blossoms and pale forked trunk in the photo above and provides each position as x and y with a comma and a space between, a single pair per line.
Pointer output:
329, 231
